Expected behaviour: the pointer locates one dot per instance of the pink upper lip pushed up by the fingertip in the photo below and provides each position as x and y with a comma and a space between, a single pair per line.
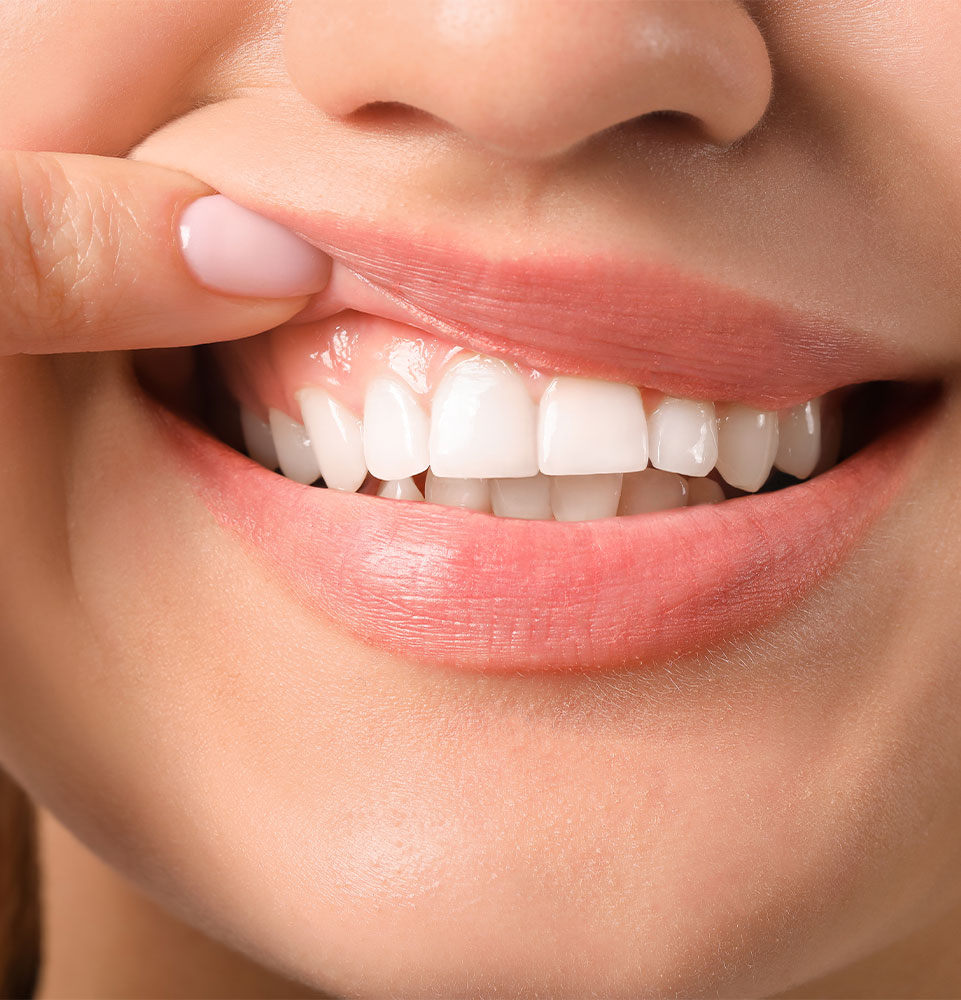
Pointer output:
636, 321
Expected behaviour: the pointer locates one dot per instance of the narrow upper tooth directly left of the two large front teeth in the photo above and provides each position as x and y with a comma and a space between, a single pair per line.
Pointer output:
395, 430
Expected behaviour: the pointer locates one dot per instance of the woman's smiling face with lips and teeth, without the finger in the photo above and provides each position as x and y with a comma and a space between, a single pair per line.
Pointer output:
373, 742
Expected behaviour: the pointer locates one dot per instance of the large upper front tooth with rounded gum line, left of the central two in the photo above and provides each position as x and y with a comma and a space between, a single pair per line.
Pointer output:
483, 423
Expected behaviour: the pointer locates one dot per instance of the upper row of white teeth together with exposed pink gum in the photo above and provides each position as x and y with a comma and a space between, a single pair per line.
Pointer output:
467, 416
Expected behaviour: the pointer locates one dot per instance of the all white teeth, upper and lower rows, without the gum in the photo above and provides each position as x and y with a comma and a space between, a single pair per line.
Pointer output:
581, 452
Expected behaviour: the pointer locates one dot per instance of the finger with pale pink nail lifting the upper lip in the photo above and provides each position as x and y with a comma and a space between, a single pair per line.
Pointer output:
91, 258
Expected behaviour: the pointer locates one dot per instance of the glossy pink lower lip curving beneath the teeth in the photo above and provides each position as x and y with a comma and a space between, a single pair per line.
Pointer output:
473, 592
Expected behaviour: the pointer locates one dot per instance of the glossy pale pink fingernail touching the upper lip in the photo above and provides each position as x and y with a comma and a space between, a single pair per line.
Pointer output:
233, 250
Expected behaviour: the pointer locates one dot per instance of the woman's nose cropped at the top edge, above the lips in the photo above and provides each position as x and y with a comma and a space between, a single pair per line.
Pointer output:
534, 78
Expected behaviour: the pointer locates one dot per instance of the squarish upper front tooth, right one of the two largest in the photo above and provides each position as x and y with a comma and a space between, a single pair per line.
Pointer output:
587, 426
